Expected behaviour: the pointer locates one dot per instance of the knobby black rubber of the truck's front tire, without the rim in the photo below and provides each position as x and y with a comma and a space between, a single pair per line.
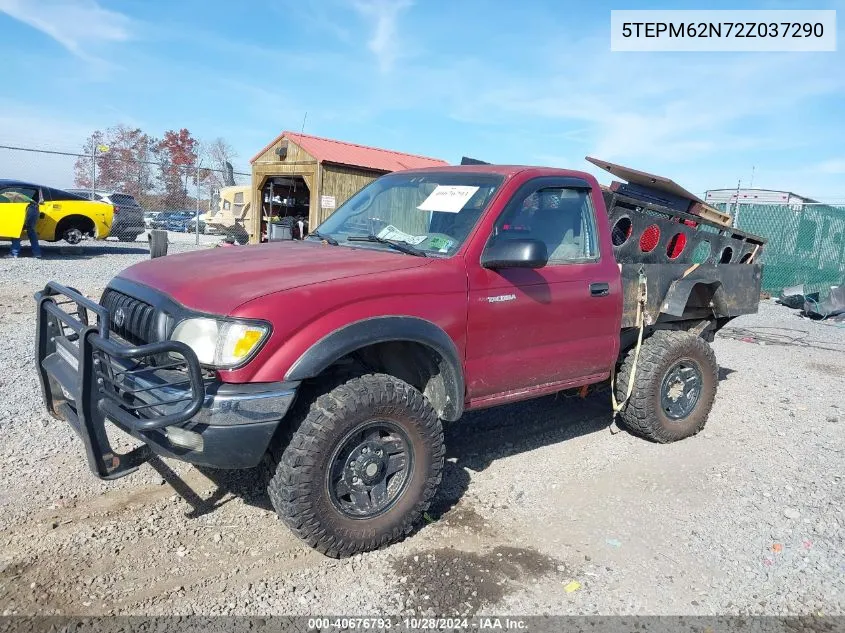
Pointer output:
298, 487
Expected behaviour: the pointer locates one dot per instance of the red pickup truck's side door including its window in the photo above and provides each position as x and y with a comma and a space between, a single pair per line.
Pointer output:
559, 323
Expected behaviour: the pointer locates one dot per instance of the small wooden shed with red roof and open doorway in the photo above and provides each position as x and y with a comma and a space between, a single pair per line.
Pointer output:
299, 176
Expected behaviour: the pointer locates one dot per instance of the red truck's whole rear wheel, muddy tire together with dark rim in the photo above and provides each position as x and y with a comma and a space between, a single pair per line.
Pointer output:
674, 389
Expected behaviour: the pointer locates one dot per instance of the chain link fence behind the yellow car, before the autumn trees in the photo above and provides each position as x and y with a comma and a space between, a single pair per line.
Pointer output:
171, 197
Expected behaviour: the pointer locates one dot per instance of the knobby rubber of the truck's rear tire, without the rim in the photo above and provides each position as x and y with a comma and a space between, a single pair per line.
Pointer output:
644, 414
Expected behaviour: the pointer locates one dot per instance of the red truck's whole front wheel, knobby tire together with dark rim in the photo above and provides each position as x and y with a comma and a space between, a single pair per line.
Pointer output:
361, 467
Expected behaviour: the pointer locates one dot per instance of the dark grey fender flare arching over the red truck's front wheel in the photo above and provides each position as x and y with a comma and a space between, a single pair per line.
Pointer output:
384, 329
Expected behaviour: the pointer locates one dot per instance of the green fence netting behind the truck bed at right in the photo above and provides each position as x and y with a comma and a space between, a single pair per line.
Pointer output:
806, 243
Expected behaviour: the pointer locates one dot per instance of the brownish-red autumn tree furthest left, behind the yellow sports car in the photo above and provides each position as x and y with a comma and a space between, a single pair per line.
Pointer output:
124, 159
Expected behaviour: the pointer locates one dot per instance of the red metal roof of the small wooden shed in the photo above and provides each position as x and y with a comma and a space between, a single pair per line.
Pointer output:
327, 150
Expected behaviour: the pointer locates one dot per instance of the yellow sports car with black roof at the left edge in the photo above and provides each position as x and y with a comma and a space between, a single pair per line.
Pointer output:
64, 216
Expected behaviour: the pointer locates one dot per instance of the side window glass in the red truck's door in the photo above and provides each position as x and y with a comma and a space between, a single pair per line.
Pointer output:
561, 217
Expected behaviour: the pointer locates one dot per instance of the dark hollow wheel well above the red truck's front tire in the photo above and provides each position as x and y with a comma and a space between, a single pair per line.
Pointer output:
420, 366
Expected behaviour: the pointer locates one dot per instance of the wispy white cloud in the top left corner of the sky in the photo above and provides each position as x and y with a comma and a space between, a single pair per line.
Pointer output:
75, 24
